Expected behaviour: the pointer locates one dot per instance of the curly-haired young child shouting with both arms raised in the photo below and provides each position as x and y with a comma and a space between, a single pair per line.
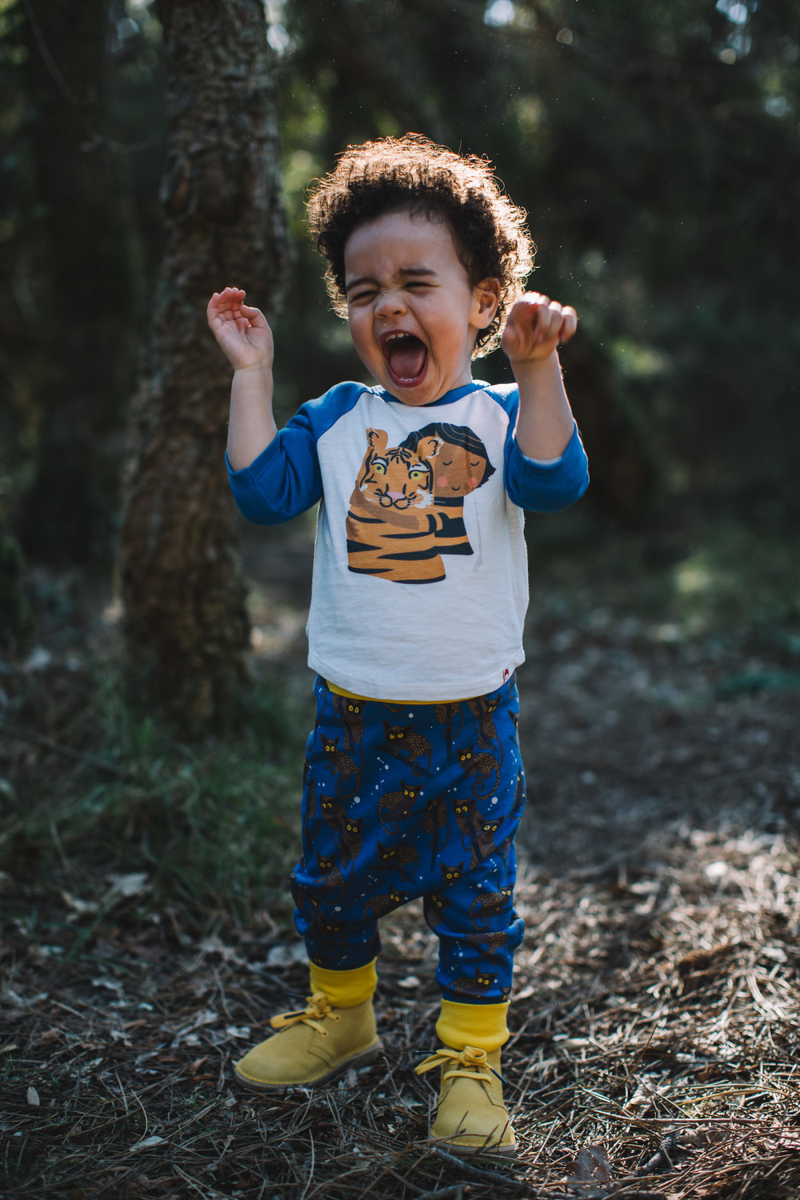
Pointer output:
413, 782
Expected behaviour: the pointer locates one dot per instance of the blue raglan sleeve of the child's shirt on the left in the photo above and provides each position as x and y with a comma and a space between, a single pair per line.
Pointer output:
286, 479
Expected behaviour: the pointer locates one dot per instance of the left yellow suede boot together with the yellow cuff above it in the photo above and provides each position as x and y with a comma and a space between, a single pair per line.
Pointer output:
316, 1043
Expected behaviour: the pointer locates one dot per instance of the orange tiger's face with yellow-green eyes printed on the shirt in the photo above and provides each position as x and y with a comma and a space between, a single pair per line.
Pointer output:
396, 478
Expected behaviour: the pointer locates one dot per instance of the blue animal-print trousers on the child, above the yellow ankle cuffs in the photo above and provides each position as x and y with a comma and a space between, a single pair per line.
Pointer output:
407, 801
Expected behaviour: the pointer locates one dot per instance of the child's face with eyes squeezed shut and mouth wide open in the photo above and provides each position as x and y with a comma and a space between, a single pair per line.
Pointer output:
414, 315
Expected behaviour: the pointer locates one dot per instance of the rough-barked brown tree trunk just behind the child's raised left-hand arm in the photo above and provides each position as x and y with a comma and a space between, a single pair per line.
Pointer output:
187, 625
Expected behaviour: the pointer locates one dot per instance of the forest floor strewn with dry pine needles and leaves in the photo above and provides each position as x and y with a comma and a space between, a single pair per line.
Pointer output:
655, 1021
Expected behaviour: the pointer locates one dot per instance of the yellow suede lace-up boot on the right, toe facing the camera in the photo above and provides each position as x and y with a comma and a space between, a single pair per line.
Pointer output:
472, 1113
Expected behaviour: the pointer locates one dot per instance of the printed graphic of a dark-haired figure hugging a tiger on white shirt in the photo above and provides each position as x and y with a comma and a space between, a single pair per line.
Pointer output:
407, 507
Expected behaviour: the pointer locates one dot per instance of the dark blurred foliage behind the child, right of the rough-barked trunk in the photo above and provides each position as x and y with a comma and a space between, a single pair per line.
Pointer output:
658, 151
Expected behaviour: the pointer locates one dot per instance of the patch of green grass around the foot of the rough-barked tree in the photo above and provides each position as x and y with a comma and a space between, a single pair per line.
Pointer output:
213, 829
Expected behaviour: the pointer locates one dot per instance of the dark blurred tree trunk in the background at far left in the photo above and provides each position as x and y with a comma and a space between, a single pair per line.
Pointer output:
81, 315
